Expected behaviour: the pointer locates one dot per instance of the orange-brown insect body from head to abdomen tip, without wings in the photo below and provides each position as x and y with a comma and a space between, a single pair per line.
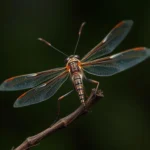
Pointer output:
76, 75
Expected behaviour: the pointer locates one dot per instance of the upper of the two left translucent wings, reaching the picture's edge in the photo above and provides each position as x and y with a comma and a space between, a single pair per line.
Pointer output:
29, 80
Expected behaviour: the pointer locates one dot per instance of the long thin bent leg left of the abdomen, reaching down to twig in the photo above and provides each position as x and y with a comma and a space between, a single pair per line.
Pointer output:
58, 104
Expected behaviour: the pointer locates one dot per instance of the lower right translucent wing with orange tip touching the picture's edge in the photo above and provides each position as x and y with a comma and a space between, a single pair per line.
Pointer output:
116, 63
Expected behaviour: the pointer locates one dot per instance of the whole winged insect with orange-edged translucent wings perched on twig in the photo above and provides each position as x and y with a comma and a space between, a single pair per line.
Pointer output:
46, 83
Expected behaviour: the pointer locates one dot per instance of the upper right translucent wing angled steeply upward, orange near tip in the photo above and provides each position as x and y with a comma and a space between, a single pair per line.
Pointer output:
110, 42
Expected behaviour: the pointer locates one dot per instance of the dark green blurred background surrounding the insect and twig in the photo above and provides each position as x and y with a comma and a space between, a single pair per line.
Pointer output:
121, 120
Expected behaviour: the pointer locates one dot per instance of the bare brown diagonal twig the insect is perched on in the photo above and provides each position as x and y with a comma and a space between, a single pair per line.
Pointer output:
62, 123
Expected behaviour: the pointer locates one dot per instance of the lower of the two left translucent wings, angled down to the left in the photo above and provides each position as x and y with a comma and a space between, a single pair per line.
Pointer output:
41, 92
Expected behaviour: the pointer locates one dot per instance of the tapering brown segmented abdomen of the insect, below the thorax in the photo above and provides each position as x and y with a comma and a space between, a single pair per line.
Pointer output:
77, 80
